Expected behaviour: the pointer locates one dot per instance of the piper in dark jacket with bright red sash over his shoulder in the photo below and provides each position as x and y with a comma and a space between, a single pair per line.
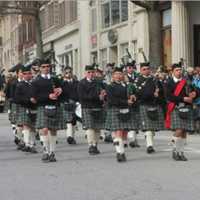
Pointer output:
179, 117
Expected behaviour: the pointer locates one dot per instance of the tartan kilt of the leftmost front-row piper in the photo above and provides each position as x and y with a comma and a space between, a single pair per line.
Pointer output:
23, 118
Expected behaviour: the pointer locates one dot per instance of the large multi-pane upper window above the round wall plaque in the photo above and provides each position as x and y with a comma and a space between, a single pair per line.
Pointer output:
114, 12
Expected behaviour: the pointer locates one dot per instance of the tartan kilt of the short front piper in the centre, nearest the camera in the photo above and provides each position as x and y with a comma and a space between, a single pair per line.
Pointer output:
113, 123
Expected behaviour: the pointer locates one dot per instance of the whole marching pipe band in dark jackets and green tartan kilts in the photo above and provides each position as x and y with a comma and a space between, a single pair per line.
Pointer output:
40, 102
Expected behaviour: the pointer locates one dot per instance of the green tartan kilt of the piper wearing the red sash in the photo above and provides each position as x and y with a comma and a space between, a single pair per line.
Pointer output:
178, 123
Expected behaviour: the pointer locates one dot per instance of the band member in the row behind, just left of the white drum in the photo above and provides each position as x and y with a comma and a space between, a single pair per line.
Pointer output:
69, 100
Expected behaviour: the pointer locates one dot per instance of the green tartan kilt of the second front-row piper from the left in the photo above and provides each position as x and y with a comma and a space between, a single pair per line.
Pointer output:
54, 123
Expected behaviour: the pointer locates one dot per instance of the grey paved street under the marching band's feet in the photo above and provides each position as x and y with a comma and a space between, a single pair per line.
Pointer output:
78, 176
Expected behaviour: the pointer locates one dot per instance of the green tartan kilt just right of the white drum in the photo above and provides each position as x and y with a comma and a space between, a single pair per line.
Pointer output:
90, 122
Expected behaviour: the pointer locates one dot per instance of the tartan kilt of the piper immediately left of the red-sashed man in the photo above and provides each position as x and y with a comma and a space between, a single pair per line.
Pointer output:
146, 124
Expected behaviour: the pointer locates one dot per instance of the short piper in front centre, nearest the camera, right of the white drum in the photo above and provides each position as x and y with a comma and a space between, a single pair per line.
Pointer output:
120, 117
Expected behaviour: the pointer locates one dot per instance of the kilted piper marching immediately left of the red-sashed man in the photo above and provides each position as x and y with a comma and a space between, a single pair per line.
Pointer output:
151, 115
